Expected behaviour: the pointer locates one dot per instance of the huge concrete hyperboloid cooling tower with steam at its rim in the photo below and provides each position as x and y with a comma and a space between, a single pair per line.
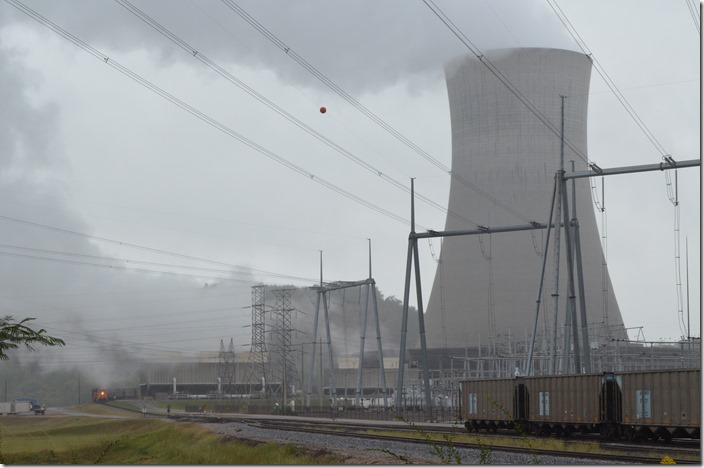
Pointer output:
486, 286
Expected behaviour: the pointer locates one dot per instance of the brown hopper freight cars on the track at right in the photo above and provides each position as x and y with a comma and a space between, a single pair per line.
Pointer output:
658, 404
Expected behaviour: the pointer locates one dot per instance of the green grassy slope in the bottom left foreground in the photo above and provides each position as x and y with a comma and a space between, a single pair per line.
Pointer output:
90, 440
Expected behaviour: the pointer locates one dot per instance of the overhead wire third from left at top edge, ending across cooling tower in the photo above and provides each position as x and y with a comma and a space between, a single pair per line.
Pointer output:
364, 110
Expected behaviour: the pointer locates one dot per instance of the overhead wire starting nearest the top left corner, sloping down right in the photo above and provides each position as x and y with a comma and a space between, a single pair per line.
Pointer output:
204, 117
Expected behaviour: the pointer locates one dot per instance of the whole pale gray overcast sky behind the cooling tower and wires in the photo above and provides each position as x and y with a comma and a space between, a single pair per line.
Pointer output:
150, 136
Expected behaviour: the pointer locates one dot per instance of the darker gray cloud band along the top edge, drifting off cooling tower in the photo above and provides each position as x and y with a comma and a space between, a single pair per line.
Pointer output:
363, 46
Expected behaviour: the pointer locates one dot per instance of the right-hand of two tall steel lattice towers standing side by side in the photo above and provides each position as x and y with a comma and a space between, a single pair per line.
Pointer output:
286, 368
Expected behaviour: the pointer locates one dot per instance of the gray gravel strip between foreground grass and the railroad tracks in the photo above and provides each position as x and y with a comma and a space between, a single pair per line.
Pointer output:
365, 451
